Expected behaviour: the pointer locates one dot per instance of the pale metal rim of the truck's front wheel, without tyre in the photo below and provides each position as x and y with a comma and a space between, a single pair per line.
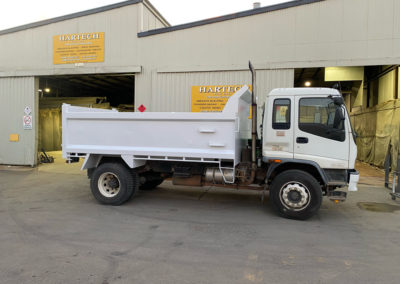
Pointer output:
295, 196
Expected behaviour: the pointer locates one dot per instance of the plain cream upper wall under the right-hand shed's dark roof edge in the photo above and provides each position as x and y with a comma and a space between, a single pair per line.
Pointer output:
323, 34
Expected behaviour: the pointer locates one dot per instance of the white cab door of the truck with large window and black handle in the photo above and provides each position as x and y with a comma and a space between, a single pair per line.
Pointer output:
320, 132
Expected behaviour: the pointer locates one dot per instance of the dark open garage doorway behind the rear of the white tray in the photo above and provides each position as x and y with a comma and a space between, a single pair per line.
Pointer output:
87, 90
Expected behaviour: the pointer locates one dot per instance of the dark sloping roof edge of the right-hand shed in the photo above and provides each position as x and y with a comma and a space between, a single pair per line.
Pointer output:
247, 13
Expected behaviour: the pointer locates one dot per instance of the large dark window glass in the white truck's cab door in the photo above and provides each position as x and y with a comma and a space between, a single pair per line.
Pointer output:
321, 117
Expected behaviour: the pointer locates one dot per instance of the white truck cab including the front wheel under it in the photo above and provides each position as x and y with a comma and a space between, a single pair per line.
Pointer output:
307, 131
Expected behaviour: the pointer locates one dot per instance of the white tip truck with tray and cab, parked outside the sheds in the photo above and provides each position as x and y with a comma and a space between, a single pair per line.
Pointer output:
307, 148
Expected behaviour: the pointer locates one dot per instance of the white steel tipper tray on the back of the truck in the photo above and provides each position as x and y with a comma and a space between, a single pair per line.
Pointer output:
219, 136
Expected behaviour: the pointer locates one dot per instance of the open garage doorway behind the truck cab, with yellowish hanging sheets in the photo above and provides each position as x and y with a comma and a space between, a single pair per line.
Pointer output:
372, 97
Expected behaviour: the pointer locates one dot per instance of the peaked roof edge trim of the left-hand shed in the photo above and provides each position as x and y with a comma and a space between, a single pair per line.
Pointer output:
82, 14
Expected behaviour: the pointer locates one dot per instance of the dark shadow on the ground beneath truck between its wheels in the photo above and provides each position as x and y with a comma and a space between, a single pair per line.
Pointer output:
170, 198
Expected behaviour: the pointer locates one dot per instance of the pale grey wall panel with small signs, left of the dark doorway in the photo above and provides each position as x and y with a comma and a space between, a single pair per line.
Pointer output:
15, 94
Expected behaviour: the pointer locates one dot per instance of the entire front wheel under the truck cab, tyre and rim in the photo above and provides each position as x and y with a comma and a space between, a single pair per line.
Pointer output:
296, 194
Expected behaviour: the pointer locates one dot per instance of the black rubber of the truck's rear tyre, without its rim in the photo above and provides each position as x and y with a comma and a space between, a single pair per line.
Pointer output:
128, 183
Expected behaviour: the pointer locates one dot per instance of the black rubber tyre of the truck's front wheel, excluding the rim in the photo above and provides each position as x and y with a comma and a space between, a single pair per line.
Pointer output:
306, 179
